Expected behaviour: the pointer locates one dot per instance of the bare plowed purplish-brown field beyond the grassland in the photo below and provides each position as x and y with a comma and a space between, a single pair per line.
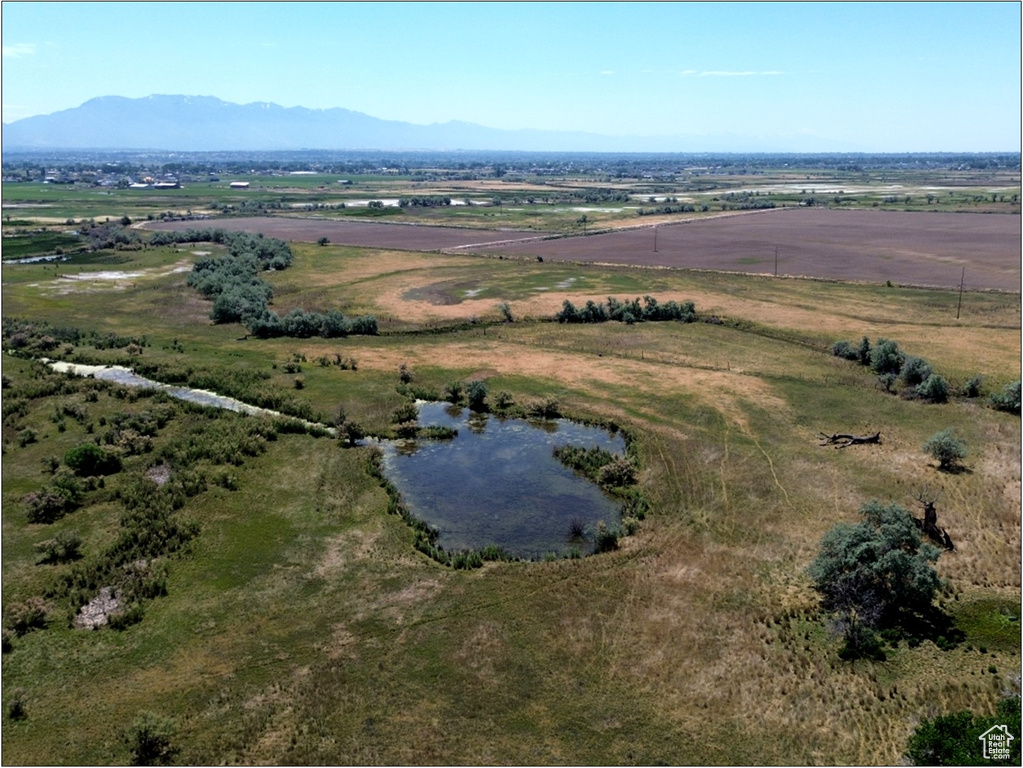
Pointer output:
909, 249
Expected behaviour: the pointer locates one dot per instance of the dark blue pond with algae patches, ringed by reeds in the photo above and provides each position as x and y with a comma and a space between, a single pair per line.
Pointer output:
499, 483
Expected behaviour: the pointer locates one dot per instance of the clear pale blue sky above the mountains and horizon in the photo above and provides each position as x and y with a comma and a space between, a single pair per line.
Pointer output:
872, 77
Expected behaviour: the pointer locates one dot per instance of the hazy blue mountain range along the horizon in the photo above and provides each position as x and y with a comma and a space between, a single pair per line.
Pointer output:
205, 123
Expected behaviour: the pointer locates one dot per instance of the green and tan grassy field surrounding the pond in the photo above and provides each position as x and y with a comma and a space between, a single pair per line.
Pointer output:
301, 626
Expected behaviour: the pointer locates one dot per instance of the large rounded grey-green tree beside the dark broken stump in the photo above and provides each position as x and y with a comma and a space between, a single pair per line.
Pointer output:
876, 572
